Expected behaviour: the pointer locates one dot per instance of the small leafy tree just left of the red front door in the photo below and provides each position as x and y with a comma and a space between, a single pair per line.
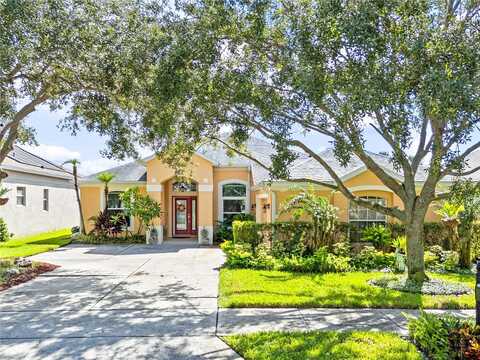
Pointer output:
140, 206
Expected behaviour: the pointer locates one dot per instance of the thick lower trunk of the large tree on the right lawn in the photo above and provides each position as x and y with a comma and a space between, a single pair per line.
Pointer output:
415, 261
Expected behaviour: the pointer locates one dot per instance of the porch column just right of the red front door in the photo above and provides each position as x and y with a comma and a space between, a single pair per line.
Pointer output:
205, 214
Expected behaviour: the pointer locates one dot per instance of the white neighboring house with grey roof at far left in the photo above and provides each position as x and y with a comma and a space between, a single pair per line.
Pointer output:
41, 196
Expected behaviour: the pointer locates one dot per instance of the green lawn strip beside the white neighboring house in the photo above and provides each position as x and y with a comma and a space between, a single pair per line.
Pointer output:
35, 244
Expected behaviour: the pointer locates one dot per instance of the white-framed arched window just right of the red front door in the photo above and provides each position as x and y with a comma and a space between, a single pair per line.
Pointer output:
233, 199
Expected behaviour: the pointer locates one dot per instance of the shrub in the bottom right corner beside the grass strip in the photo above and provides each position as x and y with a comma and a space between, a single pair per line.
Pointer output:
445, 337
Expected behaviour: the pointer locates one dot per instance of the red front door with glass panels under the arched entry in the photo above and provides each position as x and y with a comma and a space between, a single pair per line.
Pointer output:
184, 216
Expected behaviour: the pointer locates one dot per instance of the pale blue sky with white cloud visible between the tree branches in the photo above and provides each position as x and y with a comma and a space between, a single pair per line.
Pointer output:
58, 146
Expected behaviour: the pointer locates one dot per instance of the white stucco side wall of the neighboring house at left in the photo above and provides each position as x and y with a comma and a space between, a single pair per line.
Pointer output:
30, 219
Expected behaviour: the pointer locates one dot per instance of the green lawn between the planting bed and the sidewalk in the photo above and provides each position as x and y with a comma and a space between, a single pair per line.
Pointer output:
255, 288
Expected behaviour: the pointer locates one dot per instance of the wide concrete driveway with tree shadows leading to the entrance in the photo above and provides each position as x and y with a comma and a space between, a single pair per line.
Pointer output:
117, 302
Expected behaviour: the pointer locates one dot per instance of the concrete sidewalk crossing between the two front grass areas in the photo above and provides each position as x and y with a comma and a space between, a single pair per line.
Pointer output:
238, 321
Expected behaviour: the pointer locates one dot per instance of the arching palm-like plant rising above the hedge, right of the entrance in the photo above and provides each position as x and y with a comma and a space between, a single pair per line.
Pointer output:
322, 214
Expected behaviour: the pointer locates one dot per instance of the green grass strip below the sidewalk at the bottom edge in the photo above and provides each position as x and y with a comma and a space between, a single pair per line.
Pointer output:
327, 345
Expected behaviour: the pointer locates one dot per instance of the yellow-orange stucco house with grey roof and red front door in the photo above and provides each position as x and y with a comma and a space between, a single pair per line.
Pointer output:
221, 187
